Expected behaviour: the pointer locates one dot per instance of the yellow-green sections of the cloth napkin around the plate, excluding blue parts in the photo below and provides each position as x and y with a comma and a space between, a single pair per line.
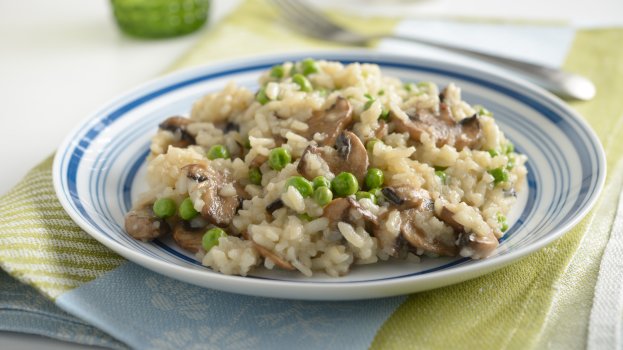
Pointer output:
542, 300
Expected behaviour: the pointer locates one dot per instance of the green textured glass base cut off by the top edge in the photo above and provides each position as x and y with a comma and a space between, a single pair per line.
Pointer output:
160, 18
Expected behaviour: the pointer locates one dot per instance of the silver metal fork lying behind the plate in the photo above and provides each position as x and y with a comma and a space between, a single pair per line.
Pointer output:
312, 22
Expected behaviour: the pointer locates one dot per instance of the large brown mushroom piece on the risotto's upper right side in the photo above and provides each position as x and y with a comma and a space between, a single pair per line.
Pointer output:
442, 128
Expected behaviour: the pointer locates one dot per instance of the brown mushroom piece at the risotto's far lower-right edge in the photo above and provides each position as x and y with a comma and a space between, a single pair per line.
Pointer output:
476, 246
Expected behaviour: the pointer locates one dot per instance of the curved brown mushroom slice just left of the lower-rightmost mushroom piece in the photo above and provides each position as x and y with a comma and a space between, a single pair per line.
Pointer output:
417, 237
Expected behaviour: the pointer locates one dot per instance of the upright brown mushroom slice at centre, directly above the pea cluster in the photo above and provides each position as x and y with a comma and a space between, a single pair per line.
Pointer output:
349, 155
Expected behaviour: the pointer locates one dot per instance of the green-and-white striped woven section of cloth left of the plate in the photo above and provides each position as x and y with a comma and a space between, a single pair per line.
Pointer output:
39, 243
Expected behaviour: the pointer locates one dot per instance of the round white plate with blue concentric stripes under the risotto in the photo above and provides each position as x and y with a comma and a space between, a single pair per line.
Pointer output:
100, 168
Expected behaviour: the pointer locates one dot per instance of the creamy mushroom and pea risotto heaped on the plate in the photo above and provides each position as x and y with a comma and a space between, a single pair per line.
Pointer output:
327, 166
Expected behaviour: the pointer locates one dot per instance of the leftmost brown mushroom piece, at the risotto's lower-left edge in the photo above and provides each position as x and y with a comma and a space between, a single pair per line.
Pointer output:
141, 223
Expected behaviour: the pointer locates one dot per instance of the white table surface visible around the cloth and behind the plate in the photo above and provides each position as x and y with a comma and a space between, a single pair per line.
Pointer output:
60, 60
